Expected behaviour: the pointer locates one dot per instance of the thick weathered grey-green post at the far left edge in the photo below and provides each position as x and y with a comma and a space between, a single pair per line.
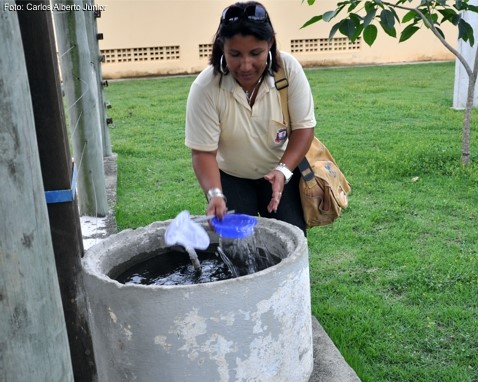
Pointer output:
33, 336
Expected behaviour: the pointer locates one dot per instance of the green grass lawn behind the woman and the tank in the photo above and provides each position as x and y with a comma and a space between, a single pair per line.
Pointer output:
395, 280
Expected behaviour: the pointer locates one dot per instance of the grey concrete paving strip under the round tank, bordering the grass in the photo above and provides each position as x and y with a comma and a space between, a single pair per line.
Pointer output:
329, 365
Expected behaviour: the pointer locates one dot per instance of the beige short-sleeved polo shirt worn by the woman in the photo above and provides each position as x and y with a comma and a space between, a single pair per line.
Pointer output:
250, 141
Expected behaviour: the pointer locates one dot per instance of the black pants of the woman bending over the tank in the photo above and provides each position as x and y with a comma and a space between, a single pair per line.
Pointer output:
251, 197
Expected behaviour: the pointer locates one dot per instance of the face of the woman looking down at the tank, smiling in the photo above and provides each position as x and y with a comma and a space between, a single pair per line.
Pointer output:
246, 58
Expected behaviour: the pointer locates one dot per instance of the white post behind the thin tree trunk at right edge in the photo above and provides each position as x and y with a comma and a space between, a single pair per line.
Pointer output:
460, 92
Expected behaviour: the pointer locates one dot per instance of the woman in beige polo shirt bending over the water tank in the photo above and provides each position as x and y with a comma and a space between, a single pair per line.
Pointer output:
242, 154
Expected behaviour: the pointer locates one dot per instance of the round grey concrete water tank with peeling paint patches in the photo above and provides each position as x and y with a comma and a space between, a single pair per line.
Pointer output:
251, 328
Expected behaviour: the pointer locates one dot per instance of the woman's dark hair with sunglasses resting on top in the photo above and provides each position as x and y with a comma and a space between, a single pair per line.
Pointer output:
260, 30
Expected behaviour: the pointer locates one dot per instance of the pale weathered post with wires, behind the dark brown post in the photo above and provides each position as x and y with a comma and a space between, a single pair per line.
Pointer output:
80, 85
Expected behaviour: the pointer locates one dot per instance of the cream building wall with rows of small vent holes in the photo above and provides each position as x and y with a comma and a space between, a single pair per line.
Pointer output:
162, 37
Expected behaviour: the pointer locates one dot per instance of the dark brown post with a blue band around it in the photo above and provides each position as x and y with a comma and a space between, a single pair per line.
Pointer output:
55, 159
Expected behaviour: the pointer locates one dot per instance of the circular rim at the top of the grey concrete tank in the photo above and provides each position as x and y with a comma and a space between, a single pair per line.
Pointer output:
95, 264
